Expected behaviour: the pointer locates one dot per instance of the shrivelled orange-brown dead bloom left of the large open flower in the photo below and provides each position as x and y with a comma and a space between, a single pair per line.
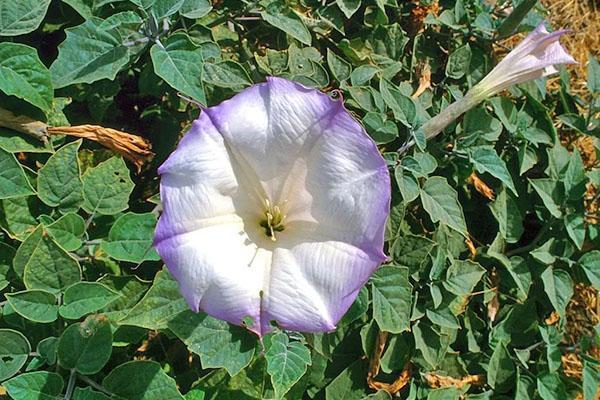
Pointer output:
134, 148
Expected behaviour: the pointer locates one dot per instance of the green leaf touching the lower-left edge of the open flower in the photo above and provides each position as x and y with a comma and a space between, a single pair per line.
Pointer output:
160, 304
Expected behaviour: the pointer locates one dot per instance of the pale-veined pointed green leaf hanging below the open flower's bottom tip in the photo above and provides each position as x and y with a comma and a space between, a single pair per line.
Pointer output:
286, 362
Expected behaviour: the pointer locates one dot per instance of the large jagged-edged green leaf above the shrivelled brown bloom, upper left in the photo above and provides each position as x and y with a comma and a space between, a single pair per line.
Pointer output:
88, 54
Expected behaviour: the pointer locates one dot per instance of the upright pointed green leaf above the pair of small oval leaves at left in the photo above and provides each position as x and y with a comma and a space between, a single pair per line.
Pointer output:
44, 264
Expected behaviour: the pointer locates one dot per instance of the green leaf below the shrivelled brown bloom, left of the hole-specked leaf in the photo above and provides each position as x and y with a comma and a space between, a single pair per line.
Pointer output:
59, 180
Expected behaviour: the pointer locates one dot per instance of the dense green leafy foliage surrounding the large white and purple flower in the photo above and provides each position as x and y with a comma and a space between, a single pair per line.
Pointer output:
87, 310
